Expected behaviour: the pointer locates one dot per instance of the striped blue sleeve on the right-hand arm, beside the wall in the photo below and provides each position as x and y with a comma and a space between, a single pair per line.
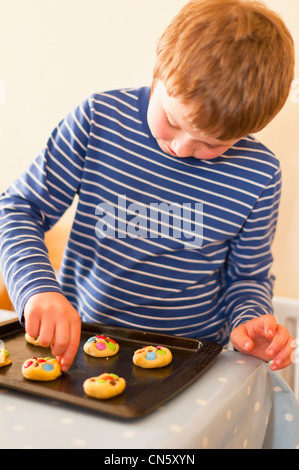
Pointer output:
249, 282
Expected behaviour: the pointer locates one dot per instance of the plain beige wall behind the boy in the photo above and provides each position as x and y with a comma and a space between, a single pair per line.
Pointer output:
54, 53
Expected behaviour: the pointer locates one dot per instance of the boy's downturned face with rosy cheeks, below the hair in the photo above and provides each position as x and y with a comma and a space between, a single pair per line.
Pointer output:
174, 134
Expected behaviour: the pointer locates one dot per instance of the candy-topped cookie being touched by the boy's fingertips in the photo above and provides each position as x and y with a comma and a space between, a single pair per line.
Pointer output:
41, 369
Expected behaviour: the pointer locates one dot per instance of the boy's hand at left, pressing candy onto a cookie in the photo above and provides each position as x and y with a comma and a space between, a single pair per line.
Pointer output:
51, 317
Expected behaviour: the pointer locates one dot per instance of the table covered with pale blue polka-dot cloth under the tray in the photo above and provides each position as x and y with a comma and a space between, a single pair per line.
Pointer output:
238, 403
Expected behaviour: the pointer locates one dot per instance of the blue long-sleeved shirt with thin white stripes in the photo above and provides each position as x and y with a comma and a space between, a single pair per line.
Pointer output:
176, 246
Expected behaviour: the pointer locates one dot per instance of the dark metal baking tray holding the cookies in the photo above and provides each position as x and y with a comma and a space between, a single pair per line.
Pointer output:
146, 390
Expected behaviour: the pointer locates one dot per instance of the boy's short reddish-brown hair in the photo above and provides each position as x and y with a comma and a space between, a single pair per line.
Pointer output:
233, 59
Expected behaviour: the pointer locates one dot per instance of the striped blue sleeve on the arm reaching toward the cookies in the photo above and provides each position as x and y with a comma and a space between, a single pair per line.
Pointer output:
34, 203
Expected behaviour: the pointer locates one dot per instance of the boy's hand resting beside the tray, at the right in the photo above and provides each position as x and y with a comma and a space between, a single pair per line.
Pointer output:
264, 338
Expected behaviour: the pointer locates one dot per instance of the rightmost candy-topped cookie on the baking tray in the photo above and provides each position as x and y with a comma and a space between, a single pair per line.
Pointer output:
150, 357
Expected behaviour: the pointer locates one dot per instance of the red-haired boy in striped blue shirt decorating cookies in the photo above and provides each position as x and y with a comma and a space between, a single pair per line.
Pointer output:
177, 203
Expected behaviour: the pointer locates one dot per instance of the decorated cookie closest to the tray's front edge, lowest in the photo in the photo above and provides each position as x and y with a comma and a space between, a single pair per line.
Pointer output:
104, 386
